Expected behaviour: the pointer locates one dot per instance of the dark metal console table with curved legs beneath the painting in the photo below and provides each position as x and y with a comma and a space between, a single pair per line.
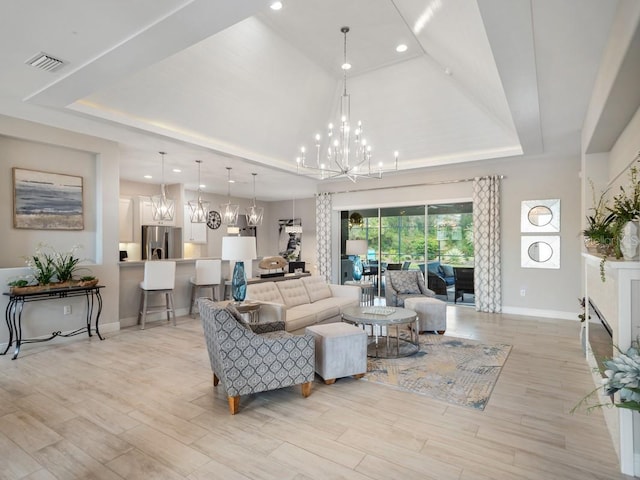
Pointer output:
13, 313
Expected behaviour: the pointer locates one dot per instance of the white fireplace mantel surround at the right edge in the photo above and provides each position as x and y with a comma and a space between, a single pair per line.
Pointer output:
618, 299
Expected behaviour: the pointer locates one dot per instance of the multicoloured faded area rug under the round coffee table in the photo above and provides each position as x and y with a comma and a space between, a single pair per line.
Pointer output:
454, 370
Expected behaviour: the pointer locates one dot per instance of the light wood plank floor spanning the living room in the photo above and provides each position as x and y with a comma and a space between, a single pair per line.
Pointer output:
141, 405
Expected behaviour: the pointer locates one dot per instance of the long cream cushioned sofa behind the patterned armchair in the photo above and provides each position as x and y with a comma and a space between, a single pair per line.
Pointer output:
302, 302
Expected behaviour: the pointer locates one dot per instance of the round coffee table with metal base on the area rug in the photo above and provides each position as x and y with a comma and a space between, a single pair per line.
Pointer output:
381, 323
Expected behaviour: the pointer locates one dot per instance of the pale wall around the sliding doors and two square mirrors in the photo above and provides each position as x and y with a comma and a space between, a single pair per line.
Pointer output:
549, 292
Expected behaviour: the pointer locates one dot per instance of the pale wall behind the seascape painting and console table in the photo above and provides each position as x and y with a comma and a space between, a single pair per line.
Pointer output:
30, 145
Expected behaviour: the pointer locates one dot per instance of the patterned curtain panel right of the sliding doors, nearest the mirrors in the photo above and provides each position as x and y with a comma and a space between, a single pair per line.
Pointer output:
486, 244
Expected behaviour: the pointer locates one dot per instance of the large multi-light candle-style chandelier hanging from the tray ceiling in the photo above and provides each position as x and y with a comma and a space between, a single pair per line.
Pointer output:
347, 153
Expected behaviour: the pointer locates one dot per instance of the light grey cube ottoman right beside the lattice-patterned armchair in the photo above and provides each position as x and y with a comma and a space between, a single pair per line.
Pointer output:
341, 350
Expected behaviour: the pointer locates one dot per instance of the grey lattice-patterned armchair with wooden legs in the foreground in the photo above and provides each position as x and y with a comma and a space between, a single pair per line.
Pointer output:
254, 358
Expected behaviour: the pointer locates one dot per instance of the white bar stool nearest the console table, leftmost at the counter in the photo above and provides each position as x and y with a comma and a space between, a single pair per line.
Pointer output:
159, 277
